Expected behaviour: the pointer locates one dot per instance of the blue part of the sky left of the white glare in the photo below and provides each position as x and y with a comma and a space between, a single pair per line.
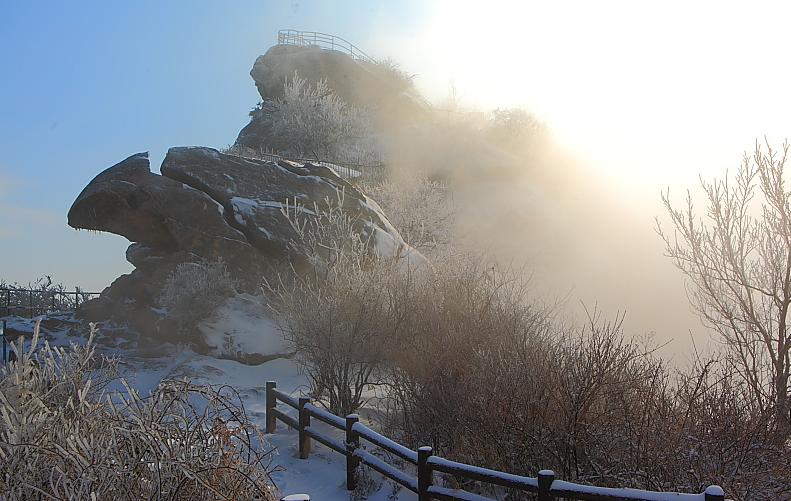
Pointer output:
85, 84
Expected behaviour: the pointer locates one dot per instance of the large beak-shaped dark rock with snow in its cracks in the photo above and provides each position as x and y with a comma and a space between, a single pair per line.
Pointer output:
207, 206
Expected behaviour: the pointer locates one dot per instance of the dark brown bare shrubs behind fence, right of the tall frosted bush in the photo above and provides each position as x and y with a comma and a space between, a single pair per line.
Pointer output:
531, 393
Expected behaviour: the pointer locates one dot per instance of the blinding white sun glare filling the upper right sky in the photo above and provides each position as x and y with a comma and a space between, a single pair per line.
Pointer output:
648, 95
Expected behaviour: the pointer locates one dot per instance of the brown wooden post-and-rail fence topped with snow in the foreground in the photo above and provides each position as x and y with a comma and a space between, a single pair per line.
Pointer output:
545, 486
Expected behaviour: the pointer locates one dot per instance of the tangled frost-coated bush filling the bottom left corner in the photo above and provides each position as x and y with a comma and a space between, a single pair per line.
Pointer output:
64, 435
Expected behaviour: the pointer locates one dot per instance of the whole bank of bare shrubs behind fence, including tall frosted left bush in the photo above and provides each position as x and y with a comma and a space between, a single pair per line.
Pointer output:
462, 357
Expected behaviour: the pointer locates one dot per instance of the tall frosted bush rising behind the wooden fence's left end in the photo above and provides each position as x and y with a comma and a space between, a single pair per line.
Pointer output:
332, 315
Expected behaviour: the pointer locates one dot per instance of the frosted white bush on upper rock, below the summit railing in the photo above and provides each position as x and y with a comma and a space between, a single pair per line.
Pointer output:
312, 121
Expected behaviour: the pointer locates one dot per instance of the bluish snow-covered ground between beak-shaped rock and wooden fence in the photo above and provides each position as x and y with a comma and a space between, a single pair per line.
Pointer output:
322, 476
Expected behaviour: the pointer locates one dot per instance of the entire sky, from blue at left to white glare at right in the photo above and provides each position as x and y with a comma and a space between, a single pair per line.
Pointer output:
647, 95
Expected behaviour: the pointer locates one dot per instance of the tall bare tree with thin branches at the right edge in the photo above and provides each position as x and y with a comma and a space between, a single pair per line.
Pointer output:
738, 261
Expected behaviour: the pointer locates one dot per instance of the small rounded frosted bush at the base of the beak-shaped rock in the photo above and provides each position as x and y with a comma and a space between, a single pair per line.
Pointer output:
194, 290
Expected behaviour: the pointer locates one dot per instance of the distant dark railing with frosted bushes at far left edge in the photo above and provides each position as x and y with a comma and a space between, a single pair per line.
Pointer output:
31, 302
